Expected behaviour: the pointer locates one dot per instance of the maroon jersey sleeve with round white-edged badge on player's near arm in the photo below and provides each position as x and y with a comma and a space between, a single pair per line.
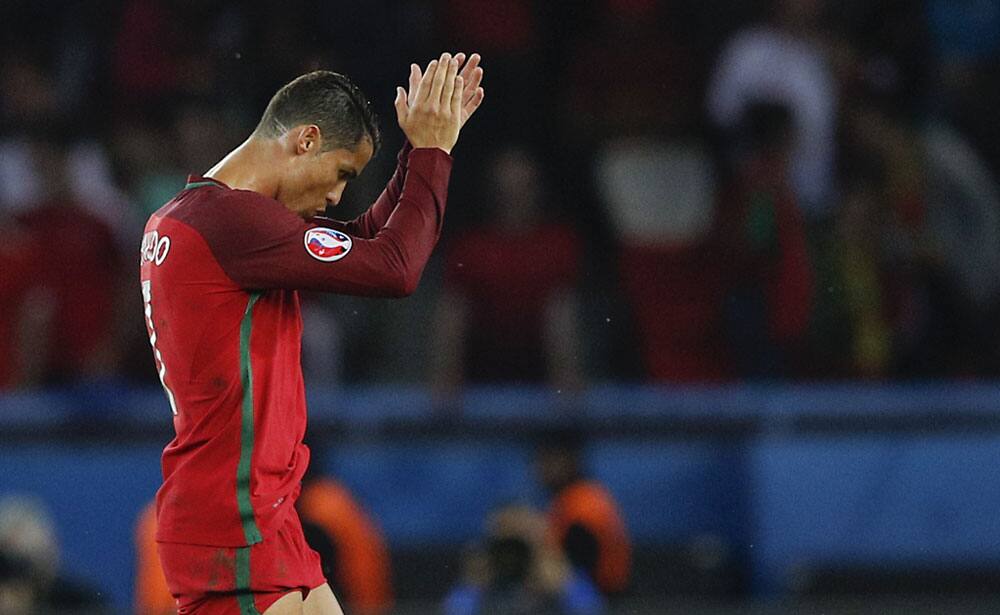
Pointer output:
261, 245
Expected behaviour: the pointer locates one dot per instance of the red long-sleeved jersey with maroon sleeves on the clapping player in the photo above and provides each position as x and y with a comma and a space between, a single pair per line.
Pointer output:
219, 270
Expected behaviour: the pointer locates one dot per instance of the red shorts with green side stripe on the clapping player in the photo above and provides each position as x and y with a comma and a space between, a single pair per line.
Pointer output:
235, 581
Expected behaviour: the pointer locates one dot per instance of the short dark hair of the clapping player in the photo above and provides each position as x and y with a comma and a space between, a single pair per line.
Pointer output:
327, 99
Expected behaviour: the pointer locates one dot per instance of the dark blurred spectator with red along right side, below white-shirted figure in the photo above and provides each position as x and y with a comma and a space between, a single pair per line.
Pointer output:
769, 286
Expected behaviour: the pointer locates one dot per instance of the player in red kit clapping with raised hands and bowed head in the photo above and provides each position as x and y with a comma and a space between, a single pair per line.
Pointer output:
220, 267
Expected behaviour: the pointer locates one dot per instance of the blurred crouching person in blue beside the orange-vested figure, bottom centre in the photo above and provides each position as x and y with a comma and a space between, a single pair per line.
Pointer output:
517, 572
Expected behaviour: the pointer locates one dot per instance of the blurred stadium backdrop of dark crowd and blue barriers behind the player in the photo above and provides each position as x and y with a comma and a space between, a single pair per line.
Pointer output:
786, 372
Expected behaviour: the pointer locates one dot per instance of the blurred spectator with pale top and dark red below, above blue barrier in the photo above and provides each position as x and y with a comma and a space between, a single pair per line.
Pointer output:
661, 201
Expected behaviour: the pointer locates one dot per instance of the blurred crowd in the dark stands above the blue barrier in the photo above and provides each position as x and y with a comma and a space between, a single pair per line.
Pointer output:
654, 190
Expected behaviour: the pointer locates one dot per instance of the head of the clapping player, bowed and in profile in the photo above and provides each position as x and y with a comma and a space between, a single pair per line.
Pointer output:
326, 133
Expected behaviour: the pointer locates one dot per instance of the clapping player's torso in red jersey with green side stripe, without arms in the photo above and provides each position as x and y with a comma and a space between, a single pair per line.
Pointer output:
228, 358
